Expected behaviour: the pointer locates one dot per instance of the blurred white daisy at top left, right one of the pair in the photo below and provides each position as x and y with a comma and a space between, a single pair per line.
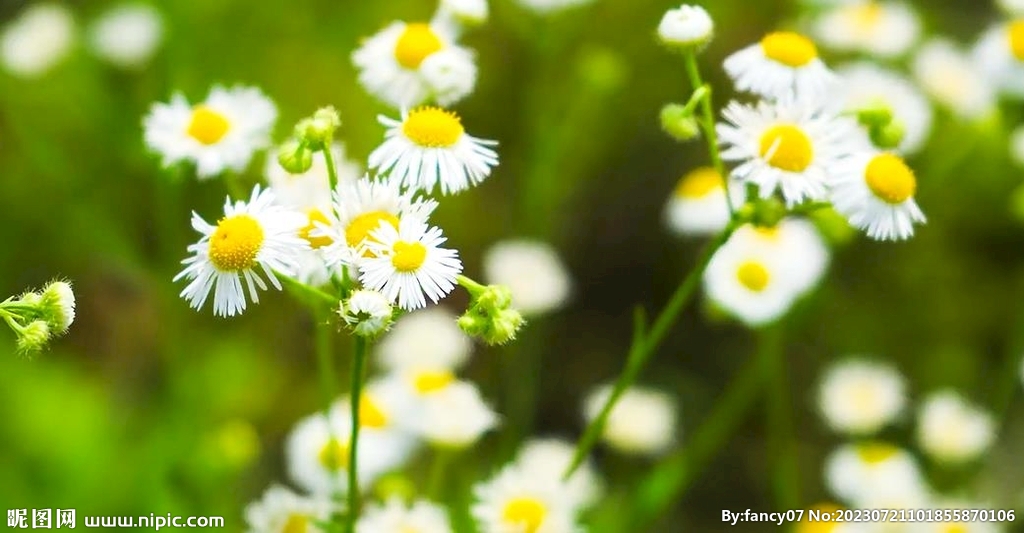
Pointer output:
127, 35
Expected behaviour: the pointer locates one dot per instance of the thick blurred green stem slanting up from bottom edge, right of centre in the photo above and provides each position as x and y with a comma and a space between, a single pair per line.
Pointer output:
670, 480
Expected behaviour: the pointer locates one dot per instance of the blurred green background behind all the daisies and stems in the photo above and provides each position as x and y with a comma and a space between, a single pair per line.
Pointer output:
148, 407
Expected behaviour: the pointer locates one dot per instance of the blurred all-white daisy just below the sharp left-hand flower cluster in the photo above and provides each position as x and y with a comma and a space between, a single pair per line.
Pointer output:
430, 339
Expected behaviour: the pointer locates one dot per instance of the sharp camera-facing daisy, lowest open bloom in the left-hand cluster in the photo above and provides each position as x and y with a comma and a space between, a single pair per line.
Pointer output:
408, 264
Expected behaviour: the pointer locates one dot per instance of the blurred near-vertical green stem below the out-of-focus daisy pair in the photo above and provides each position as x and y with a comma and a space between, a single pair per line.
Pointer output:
782, 436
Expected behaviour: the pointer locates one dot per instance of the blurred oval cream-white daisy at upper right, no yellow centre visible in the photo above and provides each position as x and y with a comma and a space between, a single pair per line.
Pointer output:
954, 80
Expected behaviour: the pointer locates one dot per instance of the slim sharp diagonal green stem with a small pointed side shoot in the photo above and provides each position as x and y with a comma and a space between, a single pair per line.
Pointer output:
646, 344
